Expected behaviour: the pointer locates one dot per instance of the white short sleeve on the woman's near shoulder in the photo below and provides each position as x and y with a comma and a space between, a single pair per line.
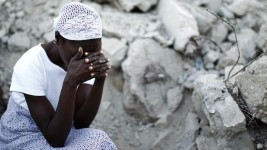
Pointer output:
28, 77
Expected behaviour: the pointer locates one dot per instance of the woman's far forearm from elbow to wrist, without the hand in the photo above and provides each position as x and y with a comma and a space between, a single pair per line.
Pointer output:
86, 113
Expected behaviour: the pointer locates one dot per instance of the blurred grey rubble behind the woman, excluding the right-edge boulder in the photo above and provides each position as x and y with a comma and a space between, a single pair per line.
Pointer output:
166, 89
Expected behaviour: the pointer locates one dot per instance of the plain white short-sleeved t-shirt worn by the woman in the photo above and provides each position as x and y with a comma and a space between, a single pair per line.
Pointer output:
36, 75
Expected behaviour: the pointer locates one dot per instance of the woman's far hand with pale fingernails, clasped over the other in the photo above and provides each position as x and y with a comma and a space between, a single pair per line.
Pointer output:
98, 64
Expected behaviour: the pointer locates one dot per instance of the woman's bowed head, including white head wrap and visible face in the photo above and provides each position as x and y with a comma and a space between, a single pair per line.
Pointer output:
77, 25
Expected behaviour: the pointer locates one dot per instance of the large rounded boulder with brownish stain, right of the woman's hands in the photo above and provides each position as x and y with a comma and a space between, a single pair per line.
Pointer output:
148, 77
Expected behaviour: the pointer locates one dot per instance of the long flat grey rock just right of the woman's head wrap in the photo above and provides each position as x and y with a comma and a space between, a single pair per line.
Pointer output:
128, 26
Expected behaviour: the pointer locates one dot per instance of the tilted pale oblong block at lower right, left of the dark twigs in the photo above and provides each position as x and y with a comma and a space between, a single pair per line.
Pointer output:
223, 114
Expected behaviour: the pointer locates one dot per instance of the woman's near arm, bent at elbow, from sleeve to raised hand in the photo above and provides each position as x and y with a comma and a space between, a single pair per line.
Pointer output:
55, 125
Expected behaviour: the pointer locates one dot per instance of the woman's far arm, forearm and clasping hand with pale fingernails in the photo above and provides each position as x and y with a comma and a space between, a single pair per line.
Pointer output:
89, 97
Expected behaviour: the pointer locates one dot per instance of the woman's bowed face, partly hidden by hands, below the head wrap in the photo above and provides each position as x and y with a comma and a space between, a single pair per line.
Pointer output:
68, 48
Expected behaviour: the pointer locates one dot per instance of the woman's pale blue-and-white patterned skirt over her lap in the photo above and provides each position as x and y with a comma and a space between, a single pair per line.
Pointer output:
19, 131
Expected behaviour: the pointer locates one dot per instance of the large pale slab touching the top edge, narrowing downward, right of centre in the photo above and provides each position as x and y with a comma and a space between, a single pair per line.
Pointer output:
178, 22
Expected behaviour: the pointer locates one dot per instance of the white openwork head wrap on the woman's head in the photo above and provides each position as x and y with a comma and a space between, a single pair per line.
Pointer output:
77, 21
